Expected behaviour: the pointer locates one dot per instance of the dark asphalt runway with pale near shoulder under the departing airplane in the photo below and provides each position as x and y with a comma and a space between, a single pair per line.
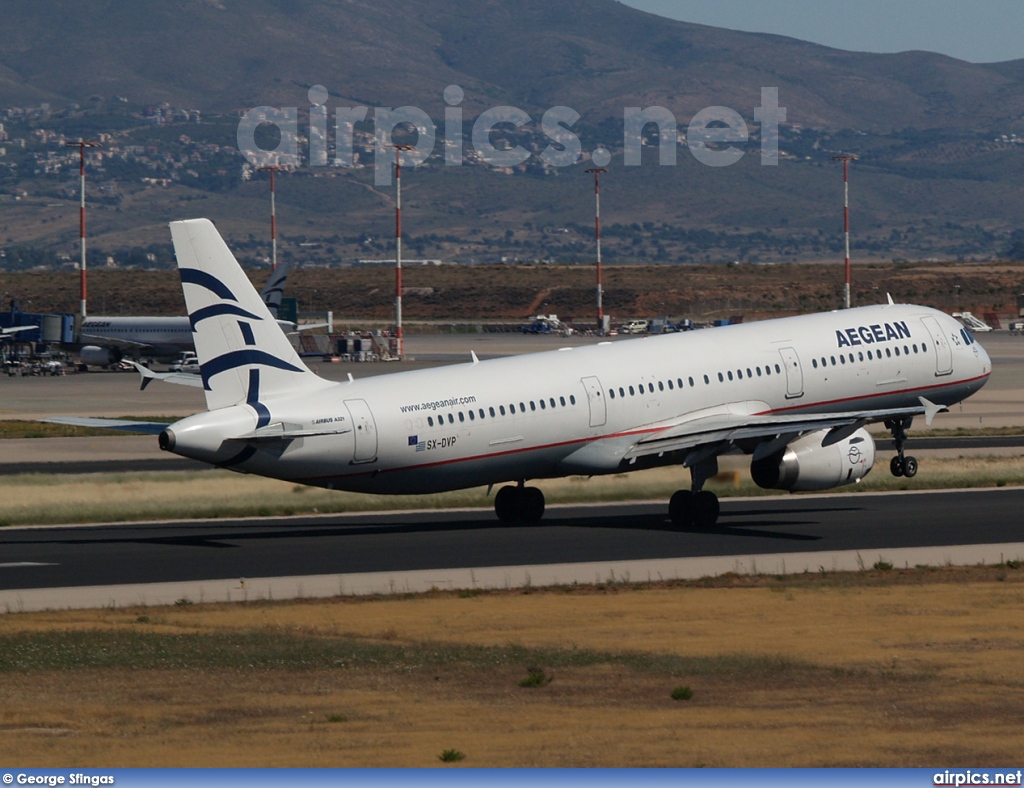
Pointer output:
809, 533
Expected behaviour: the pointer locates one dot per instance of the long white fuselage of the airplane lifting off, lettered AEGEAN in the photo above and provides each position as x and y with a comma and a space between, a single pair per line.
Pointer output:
578, 411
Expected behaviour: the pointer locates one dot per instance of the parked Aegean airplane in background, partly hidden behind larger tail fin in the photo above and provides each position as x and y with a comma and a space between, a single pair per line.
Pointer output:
104, 341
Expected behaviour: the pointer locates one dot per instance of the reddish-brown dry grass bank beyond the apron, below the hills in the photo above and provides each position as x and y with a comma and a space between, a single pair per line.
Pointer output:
517, 292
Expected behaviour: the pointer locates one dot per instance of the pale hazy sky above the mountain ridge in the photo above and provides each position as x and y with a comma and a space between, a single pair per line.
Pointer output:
984, 31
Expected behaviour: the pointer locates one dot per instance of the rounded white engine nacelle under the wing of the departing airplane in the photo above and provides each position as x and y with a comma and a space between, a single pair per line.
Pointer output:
806, 465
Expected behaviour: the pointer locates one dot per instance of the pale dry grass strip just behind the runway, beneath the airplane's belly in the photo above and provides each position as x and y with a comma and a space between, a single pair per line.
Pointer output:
30, 499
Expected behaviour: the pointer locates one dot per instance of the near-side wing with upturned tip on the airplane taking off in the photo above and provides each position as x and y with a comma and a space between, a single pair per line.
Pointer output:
723, 426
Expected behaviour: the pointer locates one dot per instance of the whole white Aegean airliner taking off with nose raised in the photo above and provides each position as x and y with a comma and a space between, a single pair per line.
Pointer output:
795, 395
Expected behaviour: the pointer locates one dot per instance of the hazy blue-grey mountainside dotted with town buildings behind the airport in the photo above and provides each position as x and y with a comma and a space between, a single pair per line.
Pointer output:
938, 176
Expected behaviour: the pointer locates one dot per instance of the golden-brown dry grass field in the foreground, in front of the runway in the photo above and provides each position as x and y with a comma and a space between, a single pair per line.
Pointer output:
876, 669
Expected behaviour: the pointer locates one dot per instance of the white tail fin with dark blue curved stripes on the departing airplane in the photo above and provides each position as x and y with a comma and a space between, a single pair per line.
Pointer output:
244, 356
